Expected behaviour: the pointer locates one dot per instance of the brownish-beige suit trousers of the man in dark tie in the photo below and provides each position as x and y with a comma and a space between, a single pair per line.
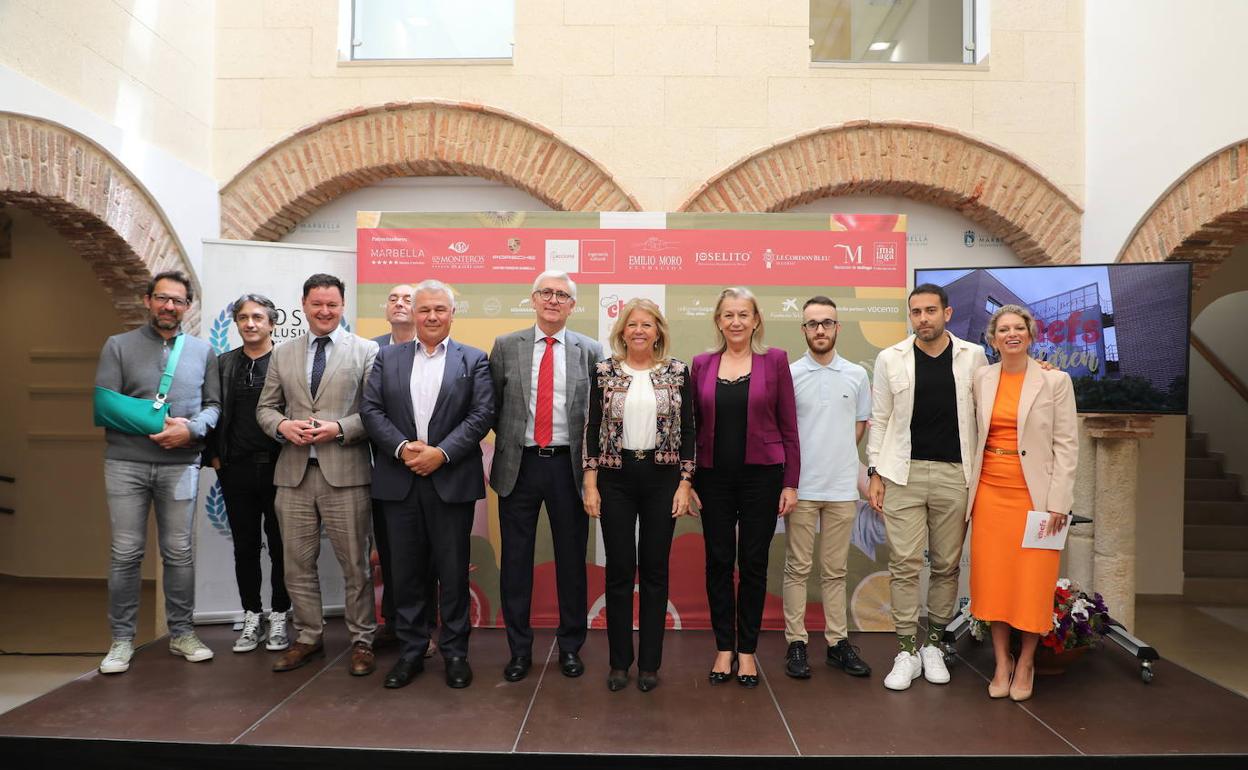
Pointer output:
345, 514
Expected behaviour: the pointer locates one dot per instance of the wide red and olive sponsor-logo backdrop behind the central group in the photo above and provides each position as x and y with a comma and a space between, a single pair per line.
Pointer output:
681, 261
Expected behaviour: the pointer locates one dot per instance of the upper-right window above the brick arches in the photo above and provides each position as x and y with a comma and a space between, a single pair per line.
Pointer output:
922, 32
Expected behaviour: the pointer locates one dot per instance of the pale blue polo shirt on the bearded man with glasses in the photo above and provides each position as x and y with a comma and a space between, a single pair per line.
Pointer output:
832, 400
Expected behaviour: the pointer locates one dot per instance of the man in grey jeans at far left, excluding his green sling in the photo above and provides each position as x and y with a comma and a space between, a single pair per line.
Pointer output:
162, 470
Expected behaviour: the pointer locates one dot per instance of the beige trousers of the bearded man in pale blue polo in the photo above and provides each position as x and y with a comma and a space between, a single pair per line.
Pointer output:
836, 524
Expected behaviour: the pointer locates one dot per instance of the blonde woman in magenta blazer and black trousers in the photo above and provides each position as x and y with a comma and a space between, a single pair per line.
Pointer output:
748, 469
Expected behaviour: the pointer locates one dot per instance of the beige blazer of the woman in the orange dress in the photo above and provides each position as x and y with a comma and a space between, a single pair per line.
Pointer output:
1049, 445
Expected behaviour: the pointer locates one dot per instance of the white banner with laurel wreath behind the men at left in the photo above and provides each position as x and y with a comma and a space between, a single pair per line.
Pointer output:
276, 271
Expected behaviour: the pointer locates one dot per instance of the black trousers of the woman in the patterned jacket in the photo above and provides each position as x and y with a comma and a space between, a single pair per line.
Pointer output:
637, 501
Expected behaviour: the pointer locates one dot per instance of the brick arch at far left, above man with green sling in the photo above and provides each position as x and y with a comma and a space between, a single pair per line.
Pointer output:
89, 198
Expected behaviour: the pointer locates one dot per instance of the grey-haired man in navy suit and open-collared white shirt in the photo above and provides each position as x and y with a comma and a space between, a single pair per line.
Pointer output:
427, 406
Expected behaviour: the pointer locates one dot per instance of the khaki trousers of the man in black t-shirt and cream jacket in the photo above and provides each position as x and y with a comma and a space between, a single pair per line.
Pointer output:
928, 512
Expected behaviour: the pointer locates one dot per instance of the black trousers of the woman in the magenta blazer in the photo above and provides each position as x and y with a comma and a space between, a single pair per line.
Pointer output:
739, 520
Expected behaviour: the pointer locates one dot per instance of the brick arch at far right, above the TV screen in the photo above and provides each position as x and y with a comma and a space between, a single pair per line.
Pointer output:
1201, 218
